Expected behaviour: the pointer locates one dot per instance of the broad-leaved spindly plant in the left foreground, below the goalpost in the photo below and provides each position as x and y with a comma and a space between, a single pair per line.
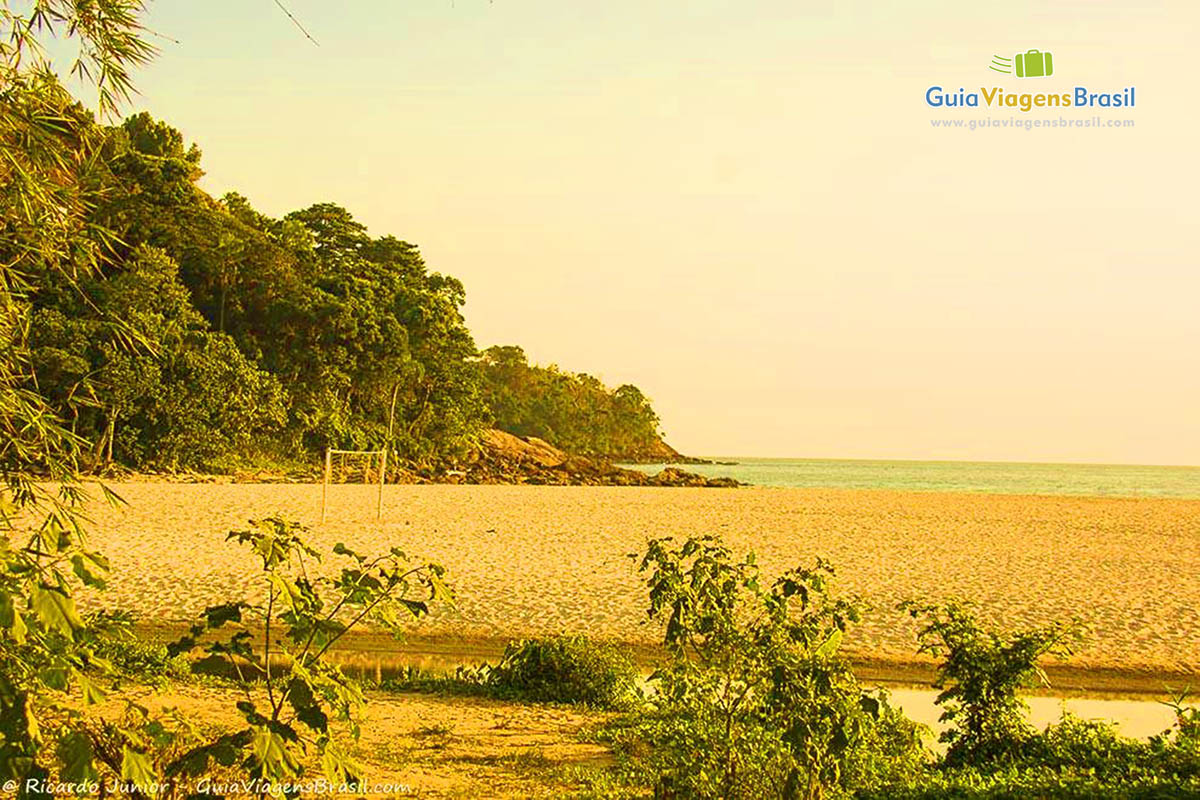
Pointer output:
305, 615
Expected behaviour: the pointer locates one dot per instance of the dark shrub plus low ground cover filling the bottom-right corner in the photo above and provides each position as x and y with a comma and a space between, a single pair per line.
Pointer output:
994, 751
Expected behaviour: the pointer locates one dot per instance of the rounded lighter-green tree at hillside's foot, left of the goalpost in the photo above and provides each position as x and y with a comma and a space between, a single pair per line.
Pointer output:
188, 399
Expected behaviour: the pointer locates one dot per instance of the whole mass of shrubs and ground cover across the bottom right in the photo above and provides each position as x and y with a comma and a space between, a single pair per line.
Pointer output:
757, 702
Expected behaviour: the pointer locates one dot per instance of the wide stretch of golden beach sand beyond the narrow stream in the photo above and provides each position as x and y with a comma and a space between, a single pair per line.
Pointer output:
532, 561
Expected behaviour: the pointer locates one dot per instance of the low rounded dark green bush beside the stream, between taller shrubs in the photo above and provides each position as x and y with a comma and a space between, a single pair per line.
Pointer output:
567, 670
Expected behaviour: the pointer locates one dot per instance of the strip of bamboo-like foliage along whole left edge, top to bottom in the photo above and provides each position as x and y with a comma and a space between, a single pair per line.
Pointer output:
47, 185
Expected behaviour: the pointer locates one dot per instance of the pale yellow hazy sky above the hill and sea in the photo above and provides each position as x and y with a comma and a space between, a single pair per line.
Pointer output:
745, 208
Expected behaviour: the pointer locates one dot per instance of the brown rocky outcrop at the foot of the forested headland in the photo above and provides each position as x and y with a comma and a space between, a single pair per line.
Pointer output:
507, 459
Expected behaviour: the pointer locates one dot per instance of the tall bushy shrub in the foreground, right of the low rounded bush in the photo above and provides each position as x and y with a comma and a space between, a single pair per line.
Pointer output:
757, 701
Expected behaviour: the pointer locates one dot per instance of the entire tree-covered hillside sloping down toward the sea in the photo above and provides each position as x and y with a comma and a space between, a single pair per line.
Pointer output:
268, 340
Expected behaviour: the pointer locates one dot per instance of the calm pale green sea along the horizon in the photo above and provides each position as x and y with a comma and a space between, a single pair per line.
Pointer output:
993, 478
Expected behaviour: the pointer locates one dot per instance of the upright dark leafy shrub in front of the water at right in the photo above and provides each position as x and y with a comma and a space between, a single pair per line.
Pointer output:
980, 676
